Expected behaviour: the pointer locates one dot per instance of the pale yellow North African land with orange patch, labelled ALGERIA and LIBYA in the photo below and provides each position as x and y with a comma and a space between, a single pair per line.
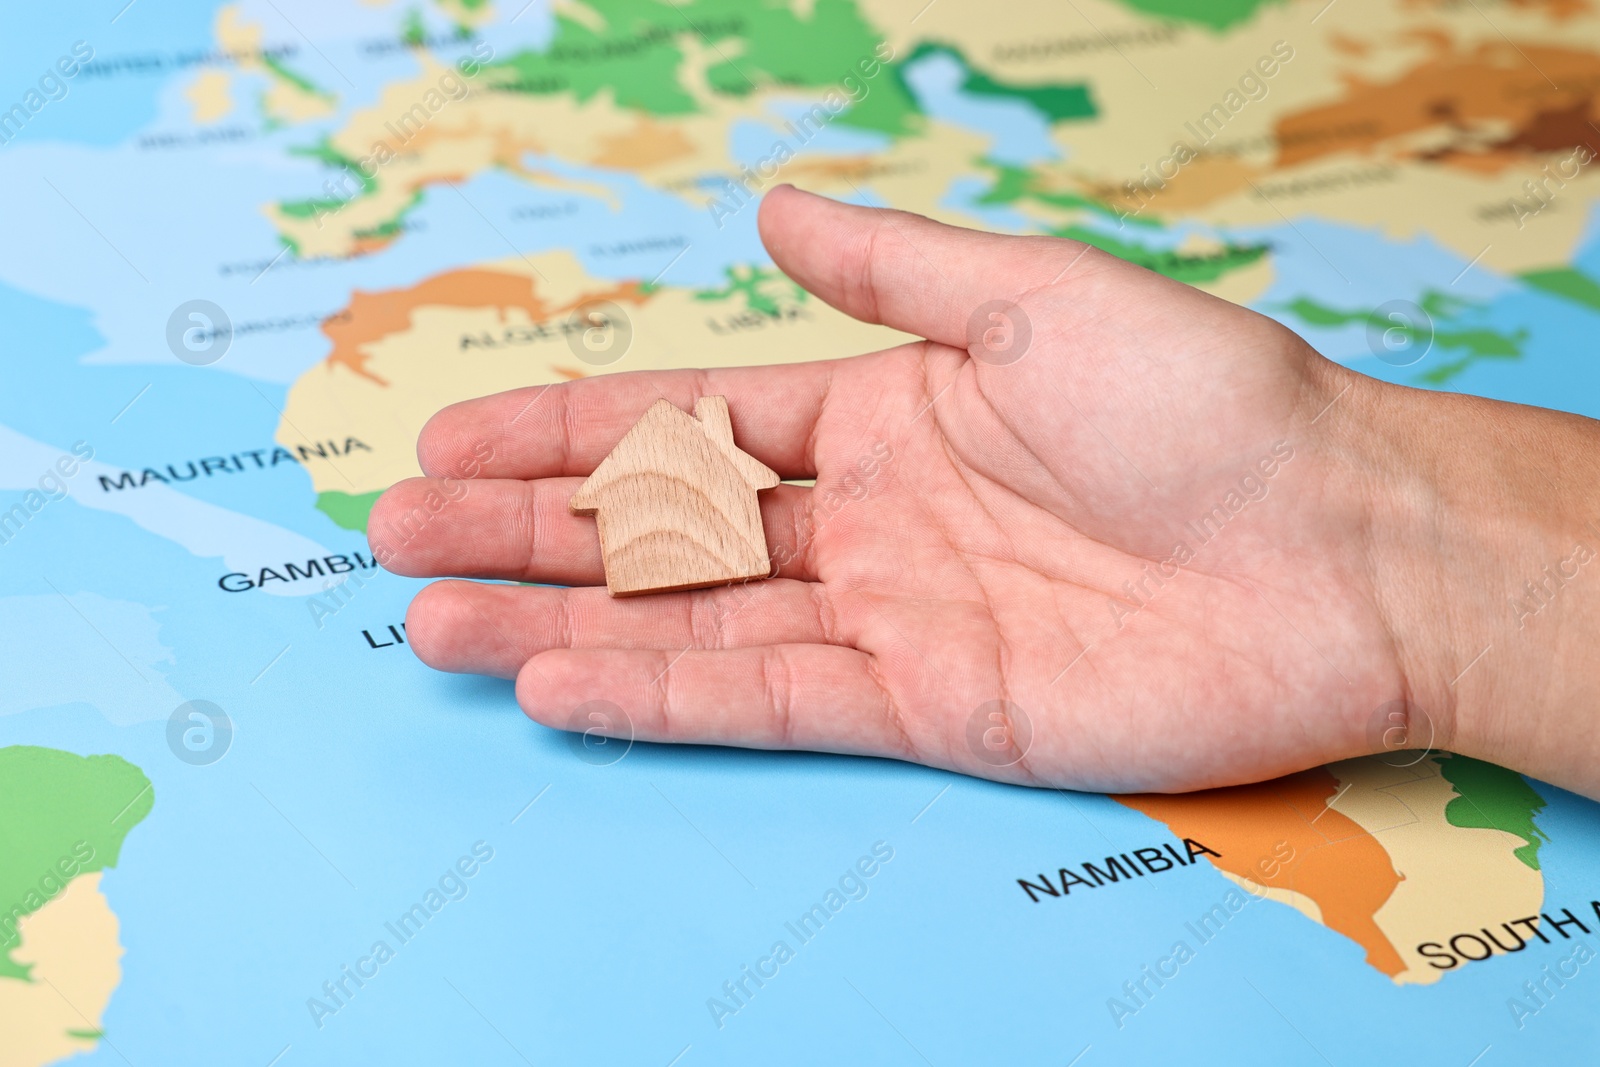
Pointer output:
399, 356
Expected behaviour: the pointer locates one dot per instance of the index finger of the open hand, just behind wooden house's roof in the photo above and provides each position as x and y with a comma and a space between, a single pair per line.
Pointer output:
566, 430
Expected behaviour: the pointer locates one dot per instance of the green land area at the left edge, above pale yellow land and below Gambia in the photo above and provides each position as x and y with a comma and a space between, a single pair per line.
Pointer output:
55, 807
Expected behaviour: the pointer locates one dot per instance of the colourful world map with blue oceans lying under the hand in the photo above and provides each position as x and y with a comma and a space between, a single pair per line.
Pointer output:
252, 247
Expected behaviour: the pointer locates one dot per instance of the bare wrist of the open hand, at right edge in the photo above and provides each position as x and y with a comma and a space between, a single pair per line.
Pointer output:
1484, 527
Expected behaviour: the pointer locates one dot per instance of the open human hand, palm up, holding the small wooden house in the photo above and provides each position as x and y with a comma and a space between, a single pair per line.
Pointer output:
1158, 535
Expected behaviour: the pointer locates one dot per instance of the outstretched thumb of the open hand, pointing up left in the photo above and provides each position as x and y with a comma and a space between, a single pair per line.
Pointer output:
910, 273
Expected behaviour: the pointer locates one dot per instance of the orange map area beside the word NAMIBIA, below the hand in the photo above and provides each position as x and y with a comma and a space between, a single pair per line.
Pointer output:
1335, 861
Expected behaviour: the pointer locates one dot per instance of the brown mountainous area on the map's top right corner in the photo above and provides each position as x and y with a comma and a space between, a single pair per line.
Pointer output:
1481, 110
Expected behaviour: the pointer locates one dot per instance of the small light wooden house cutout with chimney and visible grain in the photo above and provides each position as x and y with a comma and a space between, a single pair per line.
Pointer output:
676, 503
